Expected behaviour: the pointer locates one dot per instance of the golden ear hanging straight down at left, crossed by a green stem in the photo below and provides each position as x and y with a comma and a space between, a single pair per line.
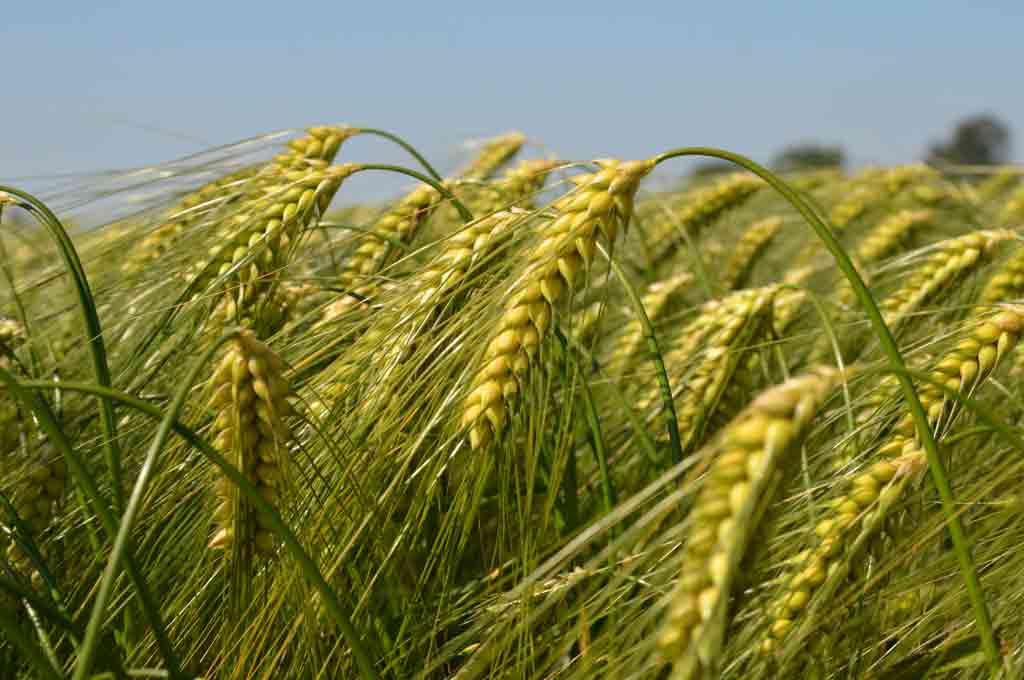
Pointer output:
250, 399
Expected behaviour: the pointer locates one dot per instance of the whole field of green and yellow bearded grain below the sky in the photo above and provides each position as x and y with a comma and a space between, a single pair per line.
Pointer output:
535, 419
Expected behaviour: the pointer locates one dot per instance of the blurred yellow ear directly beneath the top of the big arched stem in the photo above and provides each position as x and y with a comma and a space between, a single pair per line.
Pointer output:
702, 207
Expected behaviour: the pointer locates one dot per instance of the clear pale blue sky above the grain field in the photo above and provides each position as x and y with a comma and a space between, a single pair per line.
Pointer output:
92, 86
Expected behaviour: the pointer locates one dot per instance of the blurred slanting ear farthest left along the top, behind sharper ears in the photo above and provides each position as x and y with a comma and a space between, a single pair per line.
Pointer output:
190, 211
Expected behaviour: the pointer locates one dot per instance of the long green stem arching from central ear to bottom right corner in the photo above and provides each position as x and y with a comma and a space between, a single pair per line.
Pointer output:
940, 478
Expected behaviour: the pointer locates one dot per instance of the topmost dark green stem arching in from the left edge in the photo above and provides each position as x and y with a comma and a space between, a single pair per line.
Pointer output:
91, 320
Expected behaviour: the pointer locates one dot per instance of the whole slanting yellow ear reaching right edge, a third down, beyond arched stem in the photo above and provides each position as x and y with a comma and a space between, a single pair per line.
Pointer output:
952, 261
